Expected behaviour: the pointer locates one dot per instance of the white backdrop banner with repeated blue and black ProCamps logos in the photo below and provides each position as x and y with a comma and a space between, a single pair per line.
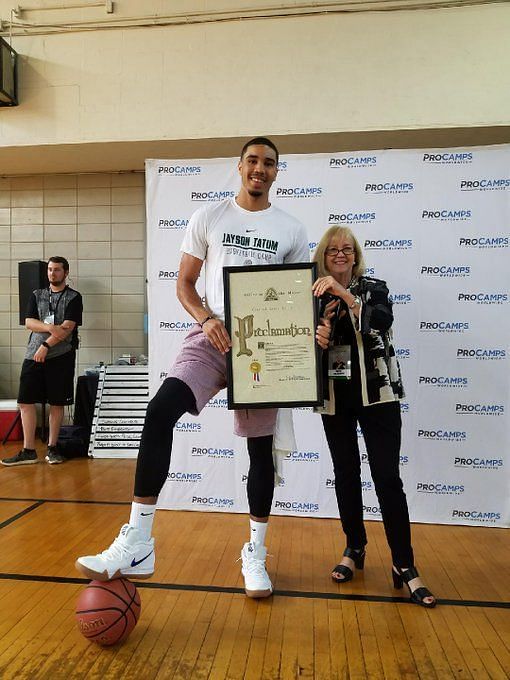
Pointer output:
434, 225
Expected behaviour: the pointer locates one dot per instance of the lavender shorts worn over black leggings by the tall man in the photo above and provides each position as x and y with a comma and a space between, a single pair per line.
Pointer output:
204, 370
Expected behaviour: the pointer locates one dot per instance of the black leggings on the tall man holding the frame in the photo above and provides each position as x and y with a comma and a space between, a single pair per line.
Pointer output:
173, 399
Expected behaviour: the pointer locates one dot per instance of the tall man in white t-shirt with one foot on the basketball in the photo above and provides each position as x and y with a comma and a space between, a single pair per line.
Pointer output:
246, 230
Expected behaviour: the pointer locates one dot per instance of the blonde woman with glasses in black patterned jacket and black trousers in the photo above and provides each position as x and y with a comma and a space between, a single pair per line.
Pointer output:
364, 386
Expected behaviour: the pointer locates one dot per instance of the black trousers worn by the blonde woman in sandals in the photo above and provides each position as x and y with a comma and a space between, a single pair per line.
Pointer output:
381, 428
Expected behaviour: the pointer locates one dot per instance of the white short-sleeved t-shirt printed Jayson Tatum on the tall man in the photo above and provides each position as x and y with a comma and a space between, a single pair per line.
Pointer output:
225, 235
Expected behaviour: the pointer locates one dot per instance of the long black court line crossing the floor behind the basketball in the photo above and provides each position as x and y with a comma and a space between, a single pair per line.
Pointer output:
310, 595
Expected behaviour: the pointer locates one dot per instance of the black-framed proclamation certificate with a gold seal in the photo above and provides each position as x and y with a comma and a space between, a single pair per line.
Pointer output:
271, 315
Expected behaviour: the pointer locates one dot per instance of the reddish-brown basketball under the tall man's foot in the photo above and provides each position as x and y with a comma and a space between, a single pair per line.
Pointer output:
107, 611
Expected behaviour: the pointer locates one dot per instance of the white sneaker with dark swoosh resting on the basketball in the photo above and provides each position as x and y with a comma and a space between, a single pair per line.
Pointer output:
130, 555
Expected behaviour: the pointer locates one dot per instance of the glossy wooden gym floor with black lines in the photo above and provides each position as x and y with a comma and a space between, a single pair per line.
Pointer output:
196, 622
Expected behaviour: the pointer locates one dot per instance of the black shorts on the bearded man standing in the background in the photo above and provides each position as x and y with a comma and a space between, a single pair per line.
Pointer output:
51, 381
